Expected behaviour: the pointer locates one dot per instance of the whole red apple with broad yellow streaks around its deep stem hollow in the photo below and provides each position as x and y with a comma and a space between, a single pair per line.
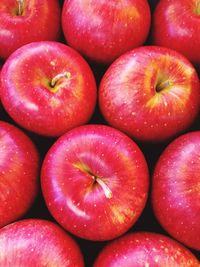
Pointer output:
151, 93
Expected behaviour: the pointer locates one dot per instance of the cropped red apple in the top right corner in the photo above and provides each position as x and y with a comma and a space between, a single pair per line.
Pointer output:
176, 24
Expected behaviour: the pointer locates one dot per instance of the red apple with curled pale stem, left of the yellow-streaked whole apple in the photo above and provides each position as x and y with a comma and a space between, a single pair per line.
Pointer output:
47, 88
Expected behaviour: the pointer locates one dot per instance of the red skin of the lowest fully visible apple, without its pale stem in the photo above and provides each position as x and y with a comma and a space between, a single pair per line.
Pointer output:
75, 198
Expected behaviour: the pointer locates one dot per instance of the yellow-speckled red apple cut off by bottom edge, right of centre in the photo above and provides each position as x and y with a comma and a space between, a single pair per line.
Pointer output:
145, 249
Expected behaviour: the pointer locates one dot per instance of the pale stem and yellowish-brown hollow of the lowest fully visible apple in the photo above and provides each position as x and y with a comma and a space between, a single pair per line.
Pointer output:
84, 168
